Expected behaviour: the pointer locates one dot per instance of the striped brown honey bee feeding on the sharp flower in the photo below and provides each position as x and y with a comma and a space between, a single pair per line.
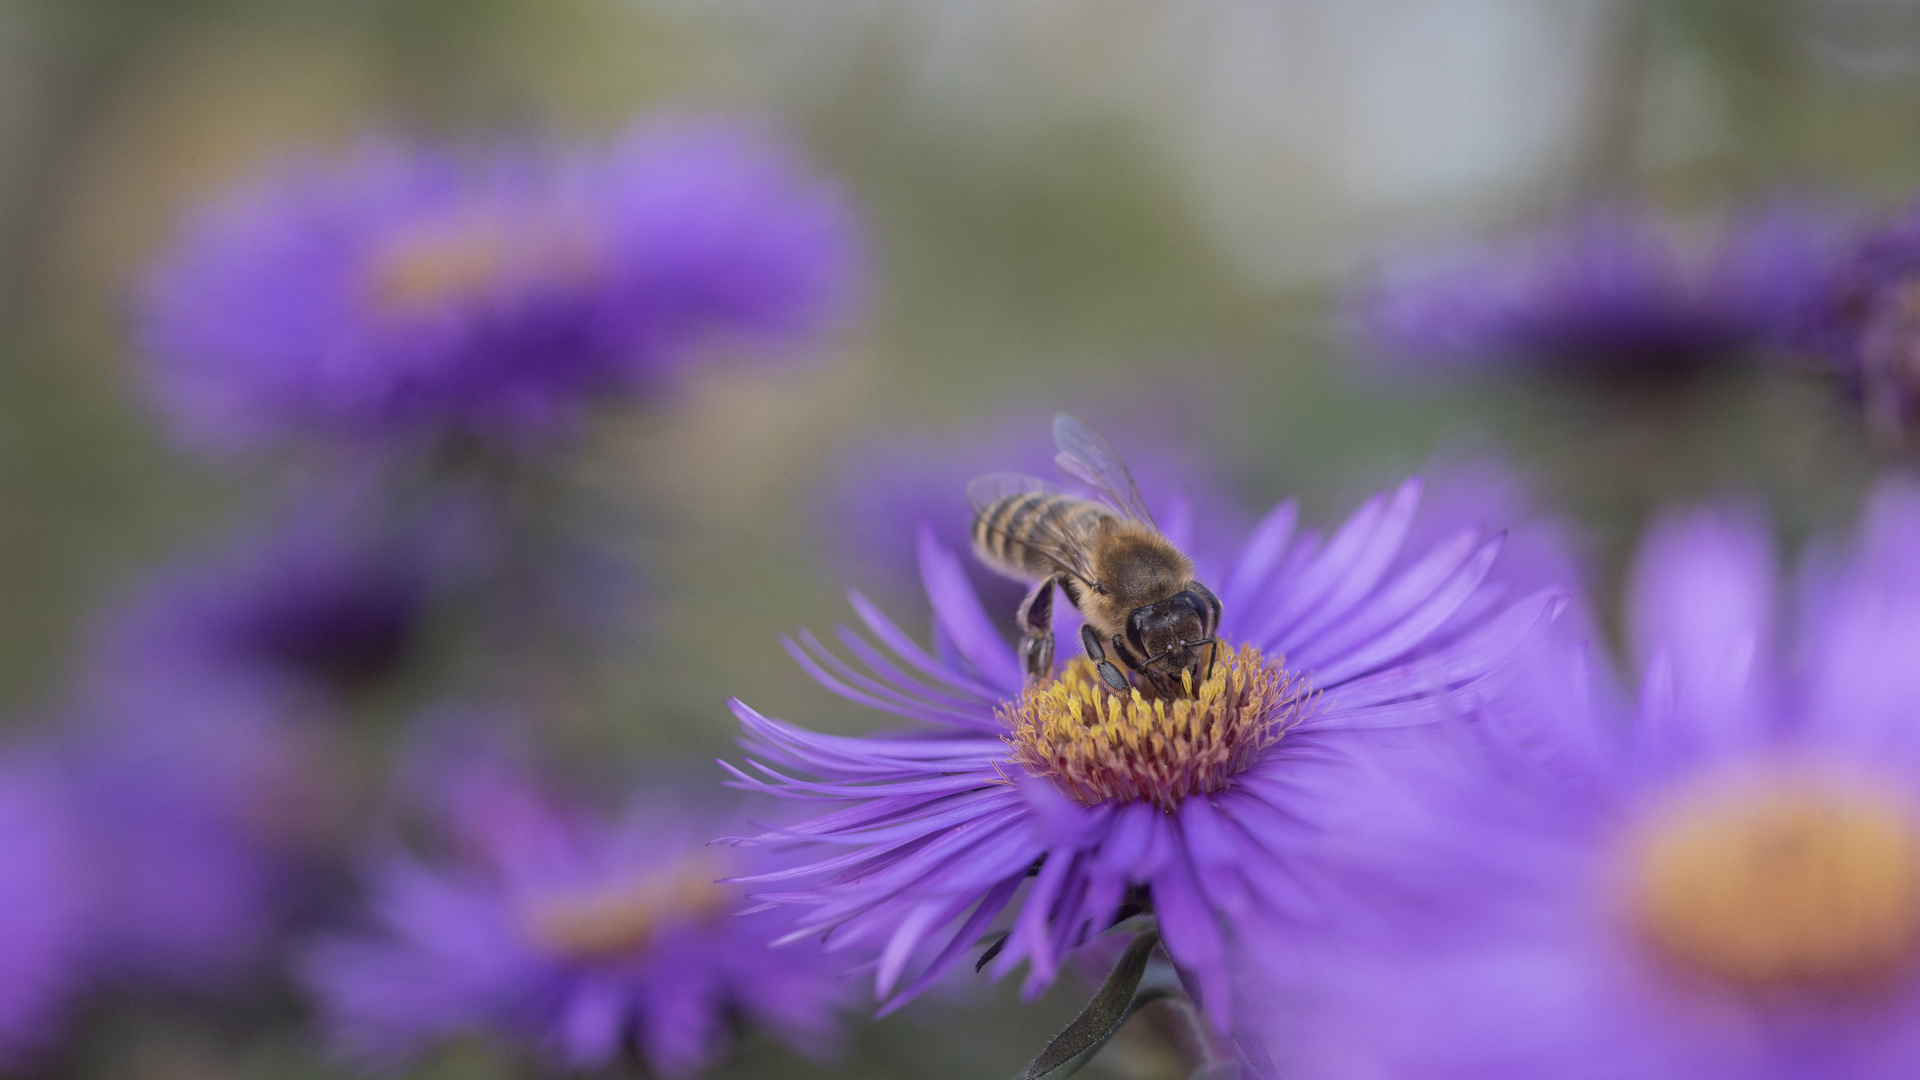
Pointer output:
1132, 585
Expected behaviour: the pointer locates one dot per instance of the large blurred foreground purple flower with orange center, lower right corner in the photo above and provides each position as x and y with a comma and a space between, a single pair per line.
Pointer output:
1721, 879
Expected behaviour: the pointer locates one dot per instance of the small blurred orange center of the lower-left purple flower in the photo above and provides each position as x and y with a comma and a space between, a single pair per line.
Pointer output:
619, 918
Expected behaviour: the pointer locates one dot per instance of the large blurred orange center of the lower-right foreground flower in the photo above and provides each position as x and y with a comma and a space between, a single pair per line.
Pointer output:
1783, 883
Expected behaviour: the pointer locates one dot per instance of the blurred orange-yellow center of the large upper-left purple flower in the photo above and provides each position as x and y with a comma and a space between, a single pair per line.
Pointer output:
468, 255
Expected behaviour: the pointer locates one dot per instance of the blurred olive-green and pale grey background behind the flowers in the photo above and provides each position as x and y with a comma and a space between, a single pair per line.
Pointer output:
1143, 210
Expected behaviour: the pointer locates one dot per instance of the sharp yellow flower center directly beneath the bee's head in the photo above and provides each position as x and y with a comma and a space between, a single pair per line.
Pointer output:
1101, 747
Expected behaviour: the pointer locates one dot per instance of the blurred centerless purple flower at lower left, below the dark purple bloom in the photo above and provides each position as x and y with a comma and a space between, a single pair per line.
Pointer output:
204, 810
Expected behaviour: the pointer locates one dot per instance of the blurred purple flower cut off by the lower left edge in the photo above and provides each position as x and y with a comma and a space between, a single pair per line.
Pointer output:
43, 906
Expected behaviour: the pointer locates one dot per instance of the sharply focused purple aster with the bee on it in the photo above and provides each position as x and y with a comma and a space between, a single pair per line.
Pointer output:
1107, 802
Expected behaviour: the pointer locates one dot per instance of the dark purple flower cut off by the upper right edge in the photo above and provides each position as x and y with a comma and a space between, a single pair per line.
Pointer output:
1865, 326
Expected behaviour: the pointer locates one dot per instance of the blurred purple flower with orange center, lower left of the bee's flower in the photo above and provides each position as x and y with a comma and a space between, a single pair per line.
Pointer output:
567, 933
